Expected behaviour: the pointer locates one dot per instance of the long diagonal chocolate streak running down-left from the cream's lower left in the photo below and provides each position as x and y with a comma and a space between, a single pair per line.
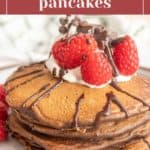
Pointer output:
46, 93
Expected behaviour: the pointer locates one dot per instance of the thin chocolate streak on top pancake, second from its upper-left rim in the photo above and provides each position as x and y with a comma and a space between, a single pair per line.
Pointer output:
26, 81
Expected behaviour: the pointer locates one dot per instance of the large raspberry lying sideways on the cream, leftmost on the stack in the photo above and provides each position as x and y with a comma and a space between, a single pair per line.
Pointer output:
70, 53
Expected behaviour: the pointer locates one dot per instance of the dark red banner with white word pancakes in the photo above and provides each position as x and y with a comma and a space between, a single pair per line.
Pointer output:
75, 6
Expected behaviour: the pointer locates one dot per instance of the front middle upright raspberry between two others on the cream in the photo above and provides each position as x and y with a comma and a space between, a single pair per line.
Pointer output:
96, 69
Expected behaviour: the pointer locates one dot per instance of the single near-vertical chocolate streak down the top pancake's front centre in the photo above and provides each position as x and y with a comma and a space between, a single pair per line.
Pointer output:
76, 115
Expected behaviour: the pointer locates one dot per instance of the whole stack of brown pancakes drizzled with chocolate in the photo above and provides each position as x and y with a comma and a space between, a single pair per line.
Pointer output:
52, 114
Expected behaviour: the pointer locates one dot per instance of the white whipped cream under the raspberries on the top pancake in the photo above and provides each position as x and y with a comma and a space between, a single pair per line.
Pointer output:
74, 75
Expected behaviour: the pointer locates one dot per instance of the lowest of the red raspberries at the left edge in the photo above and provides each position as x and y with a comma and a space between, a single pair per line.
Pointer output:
3, 132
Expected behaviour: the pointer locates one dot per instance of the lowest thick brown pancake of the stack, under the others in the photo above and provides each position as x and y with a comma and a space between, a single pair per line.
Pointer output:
52, 143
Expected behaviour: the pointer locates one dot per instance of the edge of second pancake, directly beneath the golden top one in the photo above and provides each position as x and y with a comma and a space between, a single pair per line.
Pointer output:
106, 130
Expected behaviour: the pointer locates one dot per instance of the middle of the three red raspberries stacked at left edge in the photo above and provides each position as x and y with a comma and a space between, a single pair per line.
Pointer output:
3, 111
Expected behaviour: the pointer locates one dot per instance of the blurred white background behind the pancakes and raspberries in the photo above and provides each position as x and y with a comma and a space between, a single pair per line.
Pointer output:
25, 39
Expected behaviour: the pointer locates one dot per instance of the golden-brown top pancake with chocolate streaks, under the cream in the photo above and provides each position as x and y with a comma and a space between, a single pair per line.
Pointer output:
66, 103
